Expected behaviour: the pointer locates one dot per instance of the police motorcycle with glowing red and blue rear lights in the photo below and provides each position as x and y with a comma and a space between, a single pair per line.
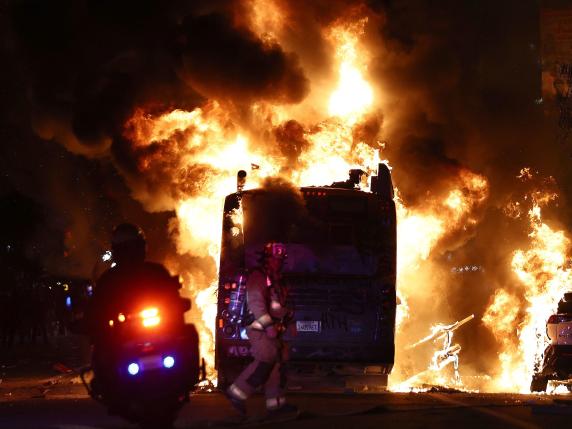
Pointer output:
148, 364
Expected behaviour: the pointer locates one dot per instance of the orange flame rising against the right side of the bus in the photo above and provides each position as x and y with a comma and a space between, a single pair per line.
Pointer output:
418, 233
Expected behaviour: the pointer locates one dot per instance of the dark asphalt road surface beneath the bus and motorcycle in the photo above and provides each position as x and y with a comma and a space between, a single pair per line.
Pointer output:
65, 405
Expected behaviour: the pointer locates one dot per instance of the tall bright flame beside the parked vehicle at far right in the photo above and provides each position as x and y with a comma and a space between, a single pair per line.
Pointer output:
518, 319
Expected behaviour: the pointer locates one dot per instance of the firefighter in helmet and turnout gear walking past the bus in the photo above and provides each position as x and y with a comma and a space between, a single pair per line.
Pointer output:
266, 300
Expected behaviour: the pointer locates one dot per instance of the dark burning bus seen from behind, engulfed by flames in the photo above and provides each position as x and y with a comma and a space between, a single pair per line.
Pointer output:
340, 273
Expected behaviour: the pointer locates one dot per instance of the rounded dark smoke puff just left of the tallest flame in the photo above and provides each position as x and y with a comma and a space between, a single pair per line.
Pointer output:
227, 62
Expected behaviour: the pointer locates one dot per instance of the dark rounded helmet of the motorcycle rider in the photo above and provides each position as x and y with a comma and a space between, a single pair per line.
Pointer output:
128, 244
